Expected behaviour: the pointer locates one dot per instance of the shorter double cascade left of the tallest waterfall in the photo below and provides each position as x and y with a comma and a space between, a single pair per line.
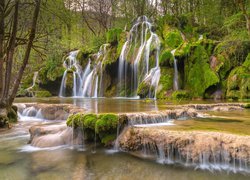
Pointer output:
87, 82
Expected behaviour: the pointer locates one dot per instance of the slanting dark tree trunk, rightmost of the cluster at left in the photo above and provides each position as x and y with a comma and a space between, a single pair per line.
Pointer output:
27, 53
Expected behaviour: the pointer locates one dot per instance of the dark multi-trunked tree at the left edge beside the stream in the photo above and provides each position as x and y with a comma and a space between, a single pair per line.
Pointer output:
8, 44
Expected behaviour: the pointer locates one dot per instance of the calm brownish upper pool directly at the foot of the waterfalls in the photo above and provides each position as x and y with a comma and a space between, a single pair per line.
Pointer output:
112, 104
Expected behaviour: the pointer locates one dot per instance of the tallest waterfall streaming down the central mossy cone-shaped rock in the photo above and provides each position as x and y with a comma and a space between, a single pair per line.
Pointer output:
139, 60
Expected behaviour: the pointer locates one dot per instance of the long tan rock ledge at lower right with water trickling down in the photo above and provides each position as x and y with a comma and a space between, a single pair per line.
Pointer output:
190, 146
